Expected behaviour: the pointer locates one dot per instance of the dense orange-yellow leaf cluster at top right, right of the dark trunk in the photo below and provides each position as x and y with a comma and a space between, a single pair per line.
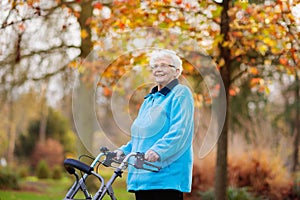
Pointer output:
263, 29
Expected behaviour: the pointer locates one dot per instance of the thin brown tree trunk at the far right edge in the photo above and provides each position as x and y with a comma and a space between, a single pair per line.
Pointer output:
297, 126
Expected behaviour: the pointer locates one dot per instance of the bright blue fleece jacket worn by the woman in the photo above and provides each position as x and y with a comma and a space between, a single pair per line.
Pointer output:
165, 124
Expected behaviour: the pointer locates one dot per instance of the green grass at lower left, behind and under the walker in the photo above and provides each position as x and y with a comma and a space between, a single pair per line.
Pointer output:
32, 188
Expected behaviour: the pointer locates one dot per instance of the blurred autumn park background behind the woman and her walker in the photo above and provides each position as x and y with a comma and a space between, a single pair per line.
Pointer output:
54, 53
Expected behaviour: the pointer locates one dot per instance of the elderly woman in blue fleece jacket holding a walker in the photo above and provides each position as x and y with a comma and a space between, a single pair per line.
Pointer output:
163, 130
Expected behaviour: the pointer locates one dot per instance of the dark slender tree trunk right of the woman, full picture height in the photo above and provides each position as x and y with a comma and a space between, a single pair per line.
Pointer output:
221, 163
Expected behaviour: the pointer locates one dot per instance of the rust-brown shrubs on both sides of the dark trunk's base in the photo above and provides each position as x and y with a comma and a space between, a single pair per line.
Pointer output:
264, 174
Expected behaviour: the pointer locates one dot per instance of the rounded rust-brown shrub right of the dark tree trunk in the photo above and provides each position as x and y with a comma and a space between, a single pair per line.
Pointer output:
262, 172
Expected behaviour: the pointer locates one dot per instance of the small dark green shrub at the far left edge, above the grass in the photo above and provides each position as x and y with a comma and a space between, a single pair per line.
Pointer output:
8, 180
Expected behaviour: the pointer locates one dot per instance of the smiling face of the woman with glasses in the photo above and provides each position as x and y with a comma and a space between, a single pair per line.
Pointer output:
163, 72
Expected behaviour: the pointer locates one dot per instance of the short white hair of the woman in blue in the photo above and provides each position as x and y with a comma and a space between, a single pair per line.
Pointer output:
163, 53
